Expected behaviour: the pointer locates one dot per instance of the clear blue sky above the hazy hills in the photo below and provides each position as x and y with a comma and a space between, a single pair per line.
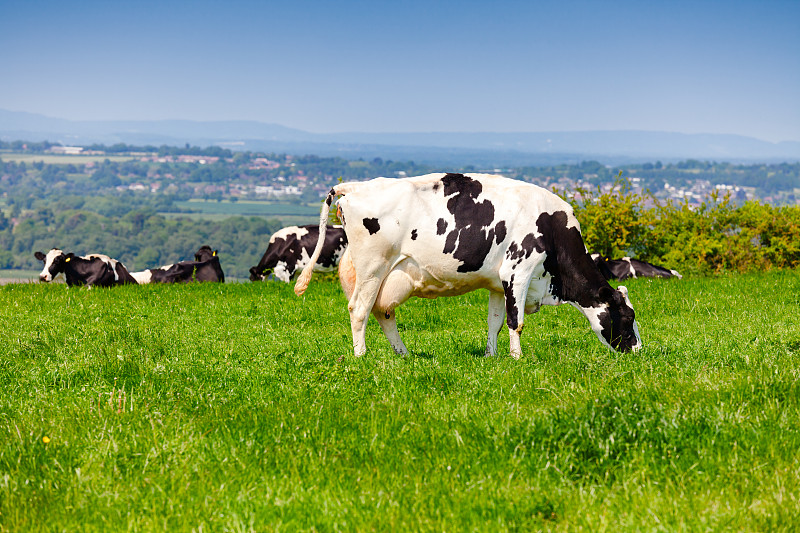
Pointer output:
693, 66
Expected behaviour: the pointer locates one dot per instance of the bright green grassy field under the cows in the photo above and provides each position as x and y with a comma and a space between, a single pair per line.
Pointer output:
240, 407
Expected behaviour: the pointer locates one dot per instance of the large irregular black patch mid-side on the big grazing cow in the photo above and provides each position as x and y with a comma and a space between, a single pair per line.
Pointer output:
471, 239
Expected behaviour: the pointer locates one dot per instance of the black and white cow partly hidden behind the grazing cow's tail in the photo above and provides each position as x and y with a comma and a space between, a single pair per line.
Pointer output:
290, 248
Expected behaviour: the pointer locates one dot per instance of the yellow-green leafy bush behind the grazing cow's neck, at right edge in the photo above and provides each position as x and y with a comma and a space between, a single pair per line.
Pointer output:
716, 236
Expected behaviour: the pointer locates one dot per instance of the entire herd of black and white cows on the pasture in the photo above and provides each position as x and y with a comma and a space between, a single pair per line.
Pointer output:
426, 236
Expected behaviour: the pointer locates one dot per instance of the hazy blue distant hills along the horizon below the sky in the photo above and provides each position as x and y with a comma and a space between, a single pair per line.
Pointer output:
478, 148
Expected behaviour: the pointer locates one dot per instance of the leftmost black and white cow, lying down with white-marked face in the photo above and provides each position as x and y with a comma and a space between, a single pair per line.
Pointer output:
90, 270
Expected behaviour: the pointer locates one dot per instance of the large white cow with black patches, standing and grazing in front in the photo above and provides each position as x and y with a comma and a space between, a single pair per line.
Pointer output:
448, 234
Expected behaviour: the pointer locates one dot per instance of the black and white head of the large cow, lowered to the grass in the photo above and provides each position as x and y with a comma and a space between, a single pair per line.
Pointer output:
615, 322
